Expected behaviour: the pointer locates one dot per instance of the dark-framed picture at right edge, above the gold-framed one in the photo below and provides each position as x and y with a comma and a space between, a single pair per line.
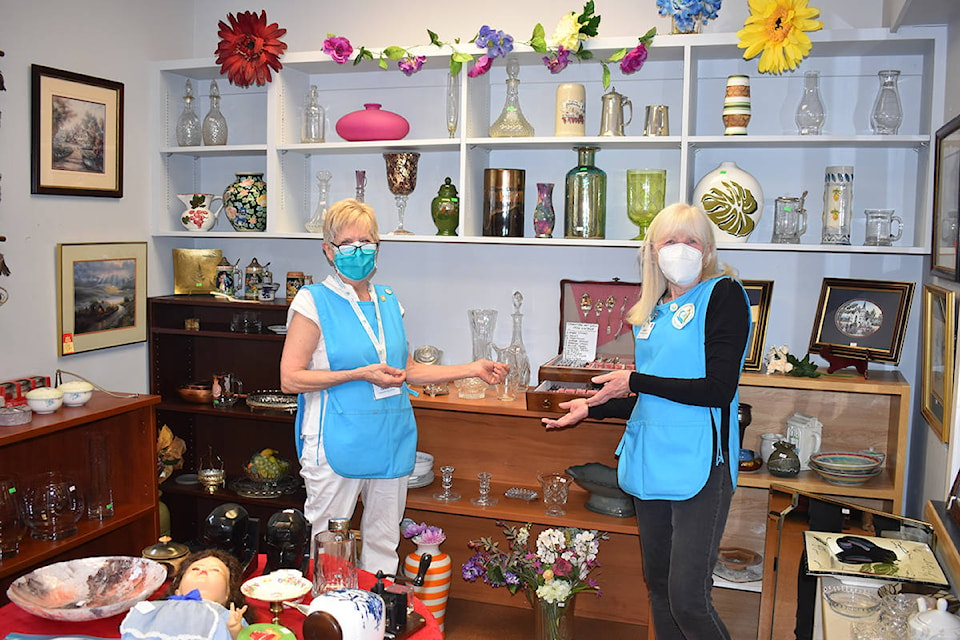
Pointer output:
946, 200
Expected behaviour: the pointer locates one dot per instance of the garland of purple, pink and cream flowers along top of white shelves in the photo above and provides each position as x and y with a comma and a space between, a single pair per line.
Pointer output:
567, 41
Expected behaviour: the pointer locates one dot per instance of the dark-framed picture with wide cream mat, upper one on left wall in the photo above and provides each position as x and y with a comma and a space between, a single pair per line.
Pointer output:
77, 134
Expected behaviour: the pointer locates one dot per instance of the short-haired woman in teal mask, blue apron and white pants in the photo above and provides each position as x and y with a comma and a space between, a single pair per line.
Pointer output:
345, 354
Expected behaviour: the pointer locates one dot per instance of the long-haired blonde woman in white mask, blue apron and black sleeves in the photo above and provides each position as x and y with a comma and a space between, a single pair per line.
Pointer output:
679, 453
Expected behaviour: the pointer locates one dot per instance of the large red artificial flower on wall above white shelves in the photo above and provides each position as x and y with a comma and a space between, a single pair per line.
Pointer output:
249, 48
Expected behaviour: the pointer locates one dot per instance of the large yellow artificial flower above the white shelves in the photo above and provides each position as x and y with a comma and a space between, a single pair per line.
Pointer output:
776, 29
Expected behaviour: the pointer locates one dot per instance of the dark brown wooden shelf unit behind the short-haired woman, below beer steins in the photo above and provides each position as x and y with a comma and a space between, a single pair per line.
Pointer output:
178, 356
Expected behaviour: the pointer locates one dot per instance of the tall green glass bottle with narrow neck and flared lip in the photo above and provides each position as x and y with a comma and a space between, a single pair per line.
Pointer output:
585, 211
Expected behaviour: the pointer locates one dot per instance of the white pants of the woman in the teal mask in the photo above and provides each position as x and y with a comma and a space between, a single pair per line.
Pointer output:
332, 496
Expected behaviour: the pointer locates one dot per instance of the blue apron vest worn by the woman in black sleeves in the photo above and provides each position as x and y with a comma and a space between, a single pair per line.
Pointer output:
667, 450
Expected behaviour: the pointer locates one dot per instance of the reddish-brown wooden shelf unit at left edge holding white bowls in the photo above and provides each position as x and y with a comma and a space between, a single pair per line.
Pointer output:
58, 441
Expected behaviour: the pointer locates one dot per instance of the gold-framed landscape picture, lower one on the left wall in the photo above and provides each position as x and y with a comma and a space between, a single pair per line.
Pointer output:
101, 295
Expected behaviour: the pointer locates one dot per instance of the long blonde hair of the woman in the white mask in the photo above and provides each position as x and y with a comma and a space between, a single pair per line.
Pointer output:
677, 217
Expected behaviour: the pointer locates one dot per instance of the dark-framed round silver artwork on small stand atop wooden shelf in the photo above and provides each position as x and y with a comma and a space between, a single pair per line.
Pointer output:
863, 319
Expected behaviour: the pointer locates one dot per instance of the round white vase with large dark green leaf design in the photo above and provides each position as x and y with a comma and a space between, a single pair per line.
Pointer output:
733, 201
